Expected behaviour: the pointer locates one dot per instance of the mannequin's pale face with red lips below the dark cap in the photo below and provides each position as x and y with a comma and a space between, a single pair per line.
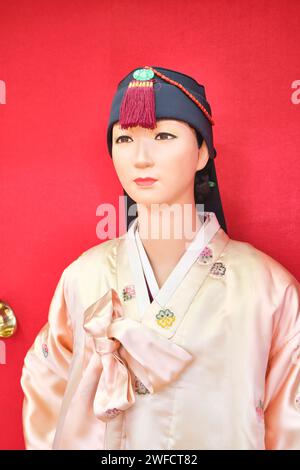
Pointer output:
169, 153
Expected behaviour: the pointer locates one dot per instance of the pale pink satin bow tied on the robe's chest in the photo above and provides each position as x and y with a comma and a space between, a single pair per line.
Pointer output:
122, 346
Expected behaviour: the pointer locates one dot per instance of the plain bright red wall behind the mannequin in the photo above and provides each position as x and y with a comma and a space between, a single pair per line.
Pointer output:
61, 61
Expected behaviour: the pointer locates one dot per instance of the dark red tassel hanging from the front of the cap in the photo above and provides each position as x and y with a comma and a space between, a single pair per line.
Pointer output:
138, 105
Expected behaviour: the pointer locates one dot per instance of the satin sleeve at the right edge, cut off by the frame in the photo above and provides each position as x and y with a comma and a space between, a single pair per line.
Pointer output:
282, 390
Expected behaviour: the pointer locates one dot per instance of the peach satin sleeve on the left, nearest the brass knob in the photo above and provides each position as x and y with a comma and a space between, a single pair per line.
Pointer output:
45, 374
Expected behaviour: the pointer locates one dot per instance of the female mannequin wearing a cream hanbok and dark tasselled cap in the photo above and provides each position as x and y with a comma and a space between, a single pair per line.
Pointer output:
189, 342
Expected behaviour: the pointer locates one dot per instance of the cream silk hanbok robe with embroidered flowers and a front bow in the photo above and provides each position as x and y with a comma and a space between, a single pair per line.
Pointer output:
213, 362
